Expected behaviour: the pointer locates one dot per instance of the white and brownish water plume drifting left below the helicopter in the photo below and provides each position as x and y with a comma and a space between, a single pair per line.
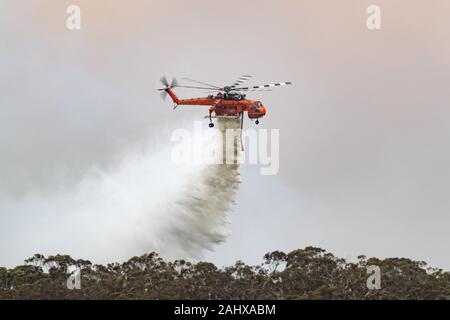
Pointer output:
146, 203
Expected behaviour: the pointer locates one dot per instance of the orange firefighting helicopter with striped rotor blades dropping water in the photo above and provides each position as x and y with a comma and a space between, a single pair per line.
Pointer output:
227, 101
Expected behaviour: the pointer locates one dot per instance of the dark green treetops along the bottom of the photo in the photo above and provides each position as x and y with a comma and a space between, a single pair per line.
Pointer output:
309, 273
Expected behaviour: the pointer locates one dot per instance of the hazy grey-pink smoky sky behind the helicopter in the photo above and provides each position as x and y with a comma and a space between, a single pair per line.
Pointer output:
364, 134
